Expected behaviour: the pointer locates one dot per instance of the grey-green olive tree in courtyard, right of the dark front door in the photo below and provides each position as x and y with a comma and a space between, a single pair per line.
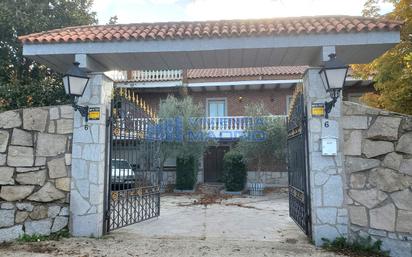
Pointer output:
265, 141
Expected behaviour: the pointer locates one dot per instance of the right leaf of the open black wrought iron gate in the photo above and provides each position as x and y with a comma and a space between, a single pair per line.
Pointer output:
299, 195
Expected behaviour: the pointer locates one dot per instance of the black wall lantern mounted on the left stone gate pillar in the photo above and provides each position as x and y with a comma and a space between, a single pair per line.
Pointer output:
75, 81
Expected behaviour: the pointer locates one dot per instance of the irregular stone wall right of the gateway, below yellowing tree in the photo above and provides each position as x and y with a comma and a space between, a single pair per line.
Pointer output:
378, 161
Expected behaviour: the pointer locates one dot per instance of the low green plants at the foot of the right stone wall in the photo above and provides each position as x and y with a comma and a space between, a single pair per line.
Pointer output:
361, 247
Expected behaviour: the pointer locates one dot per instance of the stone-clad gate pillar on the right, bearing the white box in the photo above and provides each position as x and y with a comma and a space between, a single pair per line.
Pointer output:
327, 179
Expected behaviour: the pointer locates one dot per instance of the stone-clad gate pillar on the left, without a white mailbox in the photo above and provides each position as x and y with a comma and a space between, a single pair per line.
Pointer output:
88, 161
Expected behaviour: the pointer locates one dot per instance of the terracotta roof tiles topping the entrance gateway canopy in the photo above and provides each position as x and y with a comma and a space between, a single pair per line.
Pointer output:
213, 29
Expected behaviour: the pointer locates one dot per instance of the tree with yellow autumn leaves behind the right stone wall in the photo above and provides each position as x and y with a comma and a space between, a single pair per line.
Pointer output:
391, 72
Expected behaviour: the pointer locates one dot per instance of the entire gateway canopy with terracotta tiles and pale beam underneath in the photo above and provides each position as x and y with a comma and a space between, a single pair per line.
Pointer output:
213, 44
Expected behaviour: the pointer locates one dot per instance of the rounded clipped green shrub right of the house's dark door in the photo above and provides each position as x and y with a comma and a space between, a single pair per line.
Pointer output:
234, 171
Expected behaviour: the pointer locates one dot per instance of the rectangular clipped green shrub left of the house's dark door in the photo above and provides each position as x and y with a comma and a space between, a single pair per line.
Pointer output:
186, 172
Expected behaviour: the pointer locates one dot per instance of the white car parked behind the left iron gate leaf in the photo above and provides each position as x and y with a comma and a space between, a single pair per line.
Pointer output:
122, 175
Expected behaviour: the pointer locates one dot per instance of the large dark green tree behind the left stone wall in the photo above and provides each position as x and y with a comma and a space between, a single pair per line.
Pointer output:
23, 82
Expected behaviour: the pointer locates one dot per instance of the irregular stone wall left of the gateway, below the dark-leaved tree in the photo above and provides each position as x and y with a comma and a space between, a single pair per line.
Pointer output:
35, 161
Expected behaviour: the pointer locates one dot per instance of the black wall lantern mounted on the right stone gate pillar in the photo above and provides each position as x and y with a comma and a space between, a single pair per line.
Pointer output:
333, 75
